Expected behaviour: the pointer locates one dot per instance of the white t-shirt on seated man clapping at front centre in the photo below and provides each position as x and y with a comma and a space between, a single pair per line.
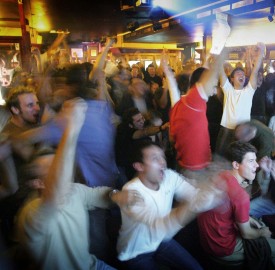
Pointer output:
145, 226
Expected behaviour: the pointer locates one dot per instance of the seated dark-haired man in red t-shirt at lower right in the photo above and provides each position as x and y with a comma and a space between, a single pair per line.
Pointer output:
223, 228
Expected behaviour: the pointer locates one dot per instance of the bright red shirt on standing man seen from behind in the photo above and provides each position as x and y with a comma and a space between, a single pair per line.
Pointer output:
189, 130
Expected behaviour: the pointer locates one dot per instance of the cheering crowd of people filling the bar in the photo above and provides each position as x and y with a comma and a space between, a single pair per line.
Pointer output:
103, 164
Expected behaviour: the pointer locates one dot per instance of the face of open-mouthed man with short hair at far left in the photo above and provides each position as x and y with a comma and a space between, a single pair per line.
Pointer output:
29, 108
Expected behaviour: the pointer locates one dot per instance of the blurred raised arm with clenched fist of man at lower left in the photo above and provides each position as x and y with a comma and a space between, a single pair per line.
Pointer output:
61, 173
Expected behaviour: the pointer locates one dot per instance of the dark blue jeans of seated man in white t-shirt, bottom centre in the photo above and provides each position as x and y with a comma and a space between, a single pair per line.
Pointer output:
169, 253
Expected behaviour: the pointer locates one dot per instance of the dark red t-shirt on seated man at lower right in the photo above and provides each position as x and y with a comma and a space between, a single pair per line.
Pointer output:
218, 228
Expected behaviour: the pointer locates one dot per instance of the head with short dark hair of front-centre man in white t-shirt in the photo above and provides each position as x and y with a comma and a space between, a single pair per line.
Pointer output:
150, 163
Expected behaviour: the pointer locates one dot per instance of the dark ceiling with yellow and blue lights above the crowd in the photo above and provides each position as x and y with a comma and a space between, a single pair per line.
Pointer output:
90, 20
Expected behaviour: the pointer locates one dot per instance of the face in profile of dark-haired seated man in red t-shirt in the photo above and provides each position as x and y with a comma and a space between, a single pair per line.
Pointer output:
248, 166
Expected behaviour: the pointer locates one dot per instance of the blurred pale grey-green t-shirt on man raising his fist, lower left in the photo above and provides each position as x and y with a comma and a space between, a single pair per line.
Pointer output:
58, 236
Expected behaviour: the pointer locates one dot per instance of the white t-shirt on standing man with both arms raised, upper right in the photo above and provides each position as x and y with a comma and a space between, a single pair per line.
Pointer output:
236, 105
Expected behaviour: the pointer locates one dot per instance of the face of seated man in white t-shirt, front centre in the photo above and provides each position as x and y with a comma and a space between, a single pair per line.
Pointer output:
153, 165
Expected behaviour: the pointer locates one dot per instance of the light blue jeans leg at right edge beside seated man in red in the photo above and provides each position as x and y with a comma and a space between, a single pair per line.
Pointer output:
261, 206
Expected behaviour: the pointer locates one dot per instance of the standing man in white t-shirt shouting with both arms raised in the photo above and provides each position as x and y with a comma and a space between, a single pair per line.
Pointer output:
237, 99
